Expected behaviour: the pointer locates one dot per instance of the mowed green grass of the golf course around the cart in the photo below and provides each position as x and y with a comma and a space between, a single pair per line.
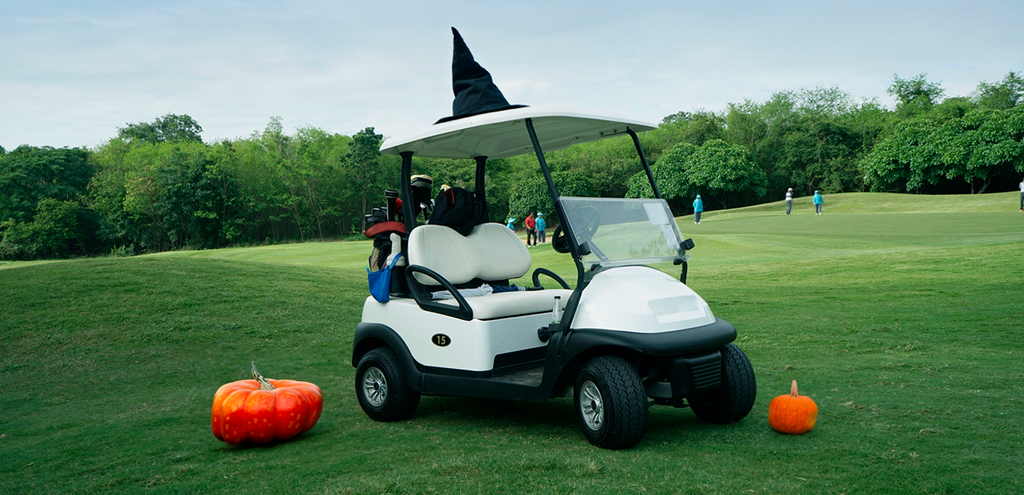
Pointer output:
902, 316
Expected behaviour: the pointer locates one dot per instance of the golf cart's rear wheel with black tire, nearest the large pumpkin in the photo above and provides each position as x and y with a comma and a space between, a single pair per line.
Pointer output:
381, 388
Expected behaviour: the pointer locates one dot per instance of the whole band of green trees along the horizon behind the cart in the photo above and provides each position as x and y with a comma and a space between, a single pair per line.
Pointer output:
158, 186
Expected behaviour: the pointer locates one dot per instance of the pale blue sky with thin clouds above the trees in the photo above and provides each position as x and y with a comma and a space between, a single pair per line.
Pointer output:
73, 72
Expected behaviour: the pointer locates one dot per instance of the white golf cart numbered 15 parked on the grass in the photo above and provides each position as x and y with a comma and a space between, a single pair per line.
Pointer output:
629, 336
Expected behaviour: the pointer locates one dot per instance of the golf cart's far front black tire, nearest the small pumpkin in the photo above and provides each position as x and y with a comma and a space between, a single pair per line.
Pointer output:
735, 399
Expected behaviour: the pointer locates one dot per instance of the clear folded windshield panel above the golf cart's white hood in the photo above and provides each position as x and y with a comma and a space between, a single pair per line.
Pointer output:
617, 232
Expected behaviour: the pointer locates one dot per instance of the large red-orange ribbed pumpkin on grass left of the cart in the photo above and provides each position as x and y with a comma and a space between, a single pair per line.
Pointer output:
263, 410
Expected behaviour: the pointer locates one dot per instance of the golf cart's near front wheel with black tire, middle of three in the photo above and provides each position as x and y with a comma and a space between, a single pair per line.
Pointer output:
611, 403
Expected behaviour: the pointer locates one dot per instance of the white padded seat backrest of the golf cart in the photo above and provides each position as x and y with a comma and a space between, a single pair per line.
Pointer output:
491, 252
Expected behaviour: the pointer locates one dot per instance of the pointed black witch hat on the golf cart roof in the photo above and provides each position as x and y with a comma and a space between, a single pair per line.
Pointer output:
476, 93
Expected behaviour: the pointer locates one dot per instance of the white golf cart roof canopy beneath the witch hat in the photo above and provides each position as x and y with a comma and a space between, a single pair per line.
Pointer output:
502, 135
